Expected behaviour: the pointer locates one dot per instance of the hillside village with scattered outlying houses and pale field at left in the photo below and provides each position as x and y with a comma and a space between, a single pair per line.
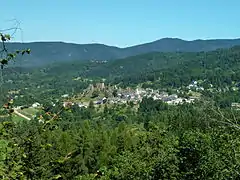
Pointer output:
100, 93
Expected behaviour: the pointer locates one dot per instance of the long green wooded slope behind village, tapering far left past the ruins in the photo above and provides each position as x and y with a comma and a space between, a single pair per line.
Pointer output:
174, 69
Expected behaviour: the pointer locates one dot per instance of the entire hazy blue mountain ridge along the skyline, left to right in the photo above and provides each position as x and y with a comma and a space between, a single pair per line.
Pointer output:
43, 53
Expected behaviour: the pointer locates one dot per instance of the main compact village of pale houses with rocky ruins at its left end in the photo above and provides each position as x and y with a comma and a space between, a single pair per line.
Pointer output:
101, 94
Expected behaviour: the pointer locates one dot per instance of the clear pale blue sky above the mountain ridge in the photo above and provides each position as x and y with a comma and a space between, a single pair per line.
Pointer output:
121, 23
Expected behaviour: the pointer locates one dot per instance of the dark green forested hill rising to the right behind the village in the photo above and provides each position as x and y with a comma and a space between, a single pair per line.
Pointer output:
220, 67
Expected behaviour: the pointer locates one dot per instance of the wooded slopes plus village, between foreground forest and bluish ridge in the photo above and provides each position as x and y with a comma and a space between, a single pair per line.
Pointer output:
119, 82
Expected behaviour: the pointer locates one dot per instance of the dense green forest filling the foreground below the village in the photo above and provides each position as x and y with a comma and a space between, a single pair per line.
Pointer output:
156, 141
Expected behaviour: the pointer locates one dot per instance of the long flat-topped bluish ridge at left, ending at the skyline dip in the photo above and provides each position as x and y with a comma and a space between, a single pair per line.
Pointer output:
43, 53
